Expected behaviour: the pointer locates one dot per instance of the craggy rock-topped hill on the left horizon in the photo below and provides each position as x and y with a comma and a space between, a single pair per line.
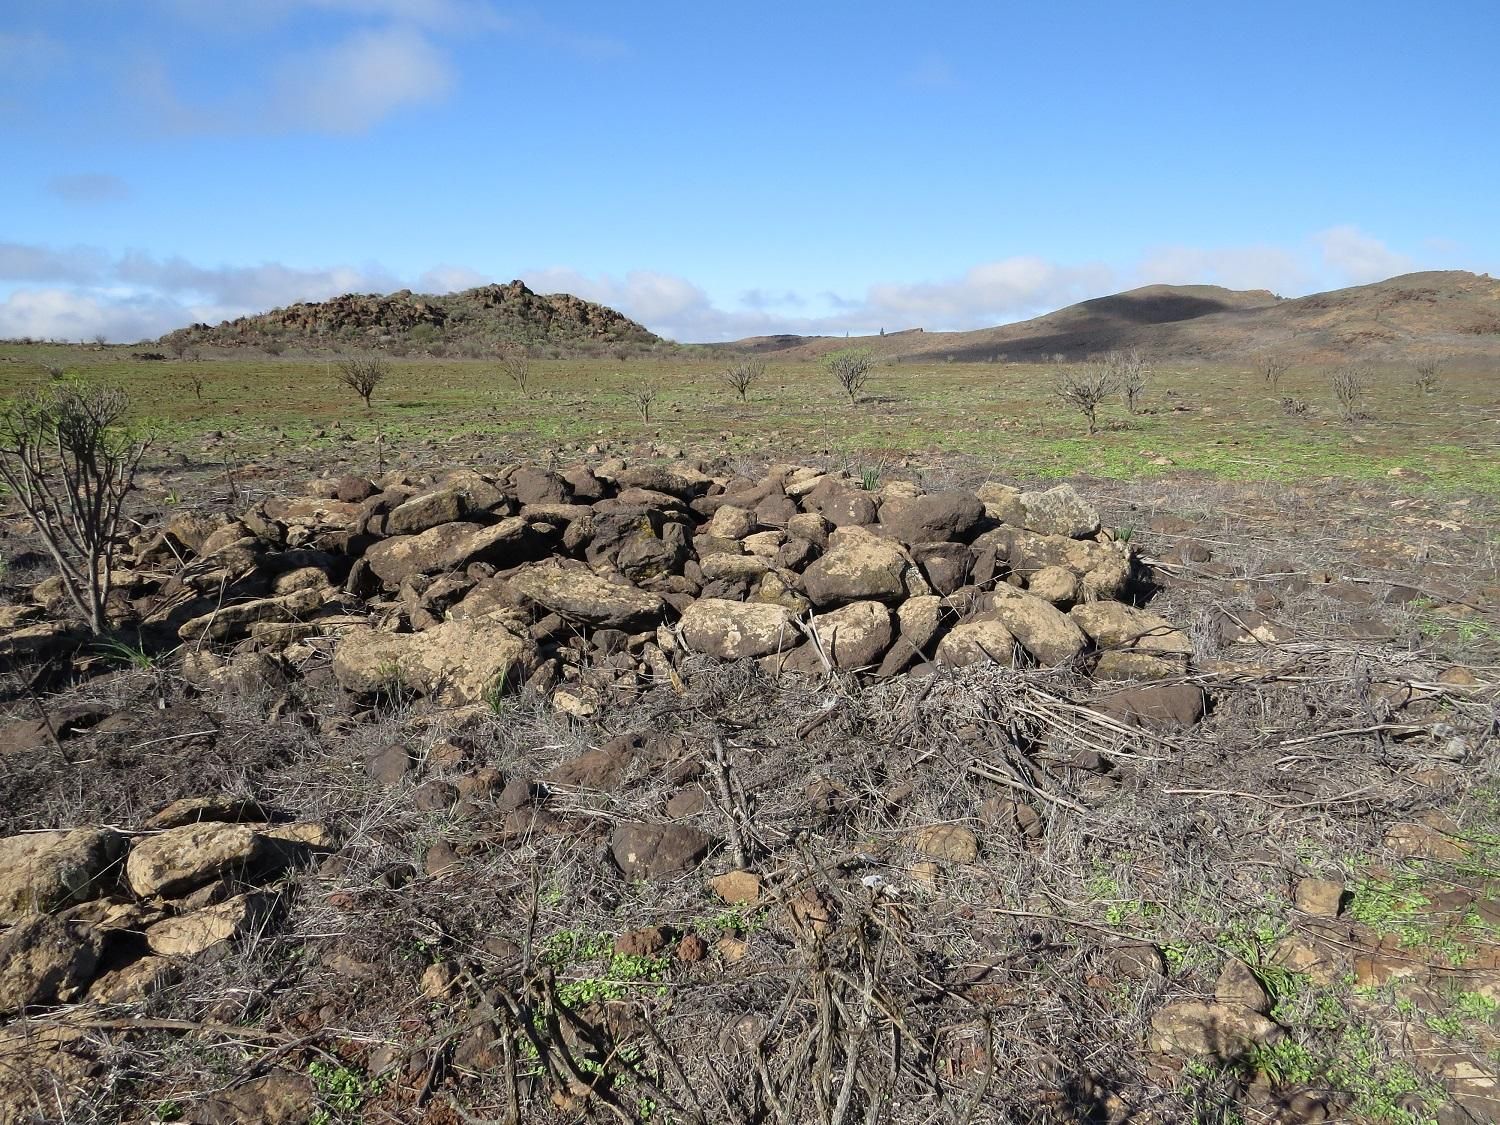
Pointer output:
470, 323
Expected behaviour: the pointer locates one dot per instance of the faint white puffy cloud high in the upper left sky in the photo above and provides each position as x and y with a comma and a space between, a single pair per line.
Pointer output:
355, 85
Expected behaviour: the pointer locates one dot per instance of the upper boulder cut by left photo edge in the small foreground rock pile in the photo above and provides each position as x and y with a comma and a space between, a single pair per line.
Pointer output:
43, 872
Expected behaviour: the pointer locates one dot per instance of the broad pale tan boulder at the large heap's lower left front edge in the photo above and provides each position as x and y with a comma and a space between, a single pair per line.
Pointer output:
460, 662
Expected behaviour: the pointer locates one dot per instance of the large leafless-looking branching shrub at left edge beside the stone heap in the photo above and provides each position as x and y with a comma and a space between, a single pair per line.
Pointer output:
68, 458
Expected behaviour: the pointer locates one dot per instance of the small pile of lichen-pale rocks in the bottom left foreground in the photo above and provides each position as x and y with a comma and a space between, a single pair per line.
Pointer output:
110, 917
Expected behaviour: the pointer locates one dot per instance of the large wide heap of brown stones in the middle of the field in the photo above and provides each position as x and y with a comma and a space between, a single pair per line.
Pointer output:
587, 583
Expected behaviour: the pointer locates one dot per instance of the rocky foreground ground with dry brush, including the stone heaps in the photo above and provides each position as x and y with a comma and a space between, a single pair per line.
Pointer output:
650, 790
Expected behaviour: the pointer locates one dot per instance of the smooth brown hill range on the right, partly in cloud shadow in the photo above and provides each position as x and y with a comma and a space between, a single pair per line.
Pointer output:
1451, 313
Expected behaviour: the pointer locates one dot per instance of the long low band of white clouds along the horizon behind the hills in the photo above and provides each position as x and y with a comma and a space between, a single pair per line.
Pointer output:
85, 292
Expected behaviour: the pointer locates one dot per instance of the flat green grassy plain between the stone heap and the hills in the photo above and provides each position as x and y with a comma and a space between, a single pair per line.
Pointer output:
1222, 421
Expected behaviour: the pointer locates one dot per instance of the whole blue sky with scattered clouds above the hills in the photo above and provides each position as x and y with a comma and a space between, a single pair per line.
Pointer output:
724, 170
